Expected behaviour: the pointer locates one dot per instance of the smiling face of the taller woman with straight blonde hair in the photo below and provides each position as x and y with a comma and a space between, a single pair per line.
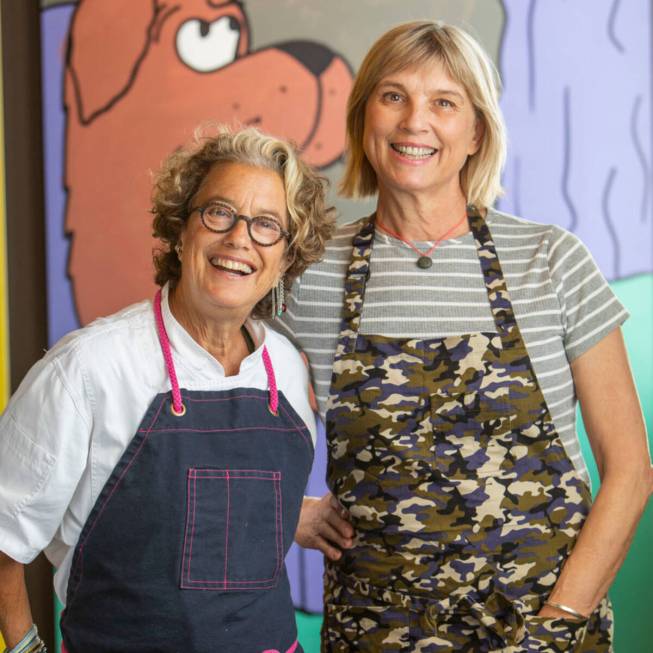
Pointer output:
420, 127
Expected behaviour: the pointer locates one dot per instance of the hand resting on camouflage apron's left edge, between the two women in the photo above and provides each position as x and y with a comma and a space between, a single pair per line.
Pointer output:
324, 525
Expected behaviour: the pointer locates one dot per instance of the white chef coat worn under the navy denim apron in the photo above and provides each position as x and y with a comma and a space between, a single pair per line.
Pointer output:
77, 409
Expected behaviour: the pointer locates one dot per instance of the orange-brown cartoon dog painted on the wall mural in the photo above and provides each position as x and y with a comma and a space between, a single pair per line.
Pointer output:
140, 77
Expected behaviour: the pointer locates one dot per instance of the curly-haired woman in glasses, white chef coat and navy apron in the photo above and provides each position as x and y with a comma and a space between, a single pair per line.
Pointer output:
159, 455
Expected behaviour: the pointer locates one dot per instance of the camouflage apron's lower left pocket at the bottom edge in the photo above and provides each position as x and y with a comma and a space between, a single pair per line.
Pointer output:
368, 629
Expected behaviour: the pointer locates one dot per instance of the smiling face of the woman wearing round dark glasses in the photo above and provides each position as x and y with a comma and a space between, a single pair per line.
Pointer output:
228, 271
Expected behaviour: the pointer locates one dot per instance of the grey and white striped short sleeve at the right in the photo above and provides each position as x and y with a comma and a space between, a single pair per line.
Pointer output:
590, 309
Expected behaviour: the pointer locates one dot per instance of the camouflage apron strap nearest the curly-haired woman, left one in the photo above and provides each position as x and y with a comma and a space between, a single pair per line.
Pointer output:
357, 275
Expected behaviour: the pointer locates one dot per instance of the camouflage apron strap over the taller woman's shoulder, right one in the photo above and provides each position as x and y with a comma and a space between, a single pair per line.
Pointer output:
495, 284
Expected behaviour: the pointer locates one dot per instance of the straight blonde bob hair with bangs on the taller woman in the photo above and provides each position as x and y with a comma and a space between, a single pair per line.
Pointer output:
412, 45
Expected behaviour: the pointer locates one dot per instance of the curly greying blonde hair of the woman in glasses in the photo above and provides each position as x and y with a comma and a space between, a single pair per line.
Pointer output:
310, 223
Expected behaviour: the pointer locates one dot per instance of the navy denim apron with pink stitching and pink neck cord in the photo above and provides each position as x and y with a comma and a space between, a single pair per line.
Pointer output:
184, 549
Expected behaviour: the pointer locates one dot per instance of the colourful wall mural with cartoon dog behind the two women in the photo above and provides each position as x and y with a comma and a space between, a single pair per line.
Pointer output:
127, 81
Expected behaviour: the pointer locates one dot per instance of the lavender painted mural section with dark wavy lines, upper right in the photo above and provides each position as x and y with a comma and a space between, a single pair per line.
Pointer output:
577, 101
